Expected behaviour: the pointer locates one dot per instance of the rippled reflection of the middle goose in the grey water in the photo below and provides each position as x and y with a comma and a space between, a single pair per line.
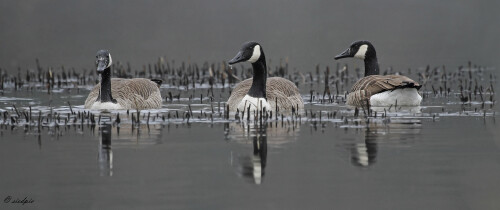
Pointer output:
261, 137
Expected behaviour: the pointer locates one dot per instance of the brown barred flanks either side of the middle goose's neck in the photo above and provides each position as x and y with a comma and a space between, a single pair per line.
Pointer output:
278, 89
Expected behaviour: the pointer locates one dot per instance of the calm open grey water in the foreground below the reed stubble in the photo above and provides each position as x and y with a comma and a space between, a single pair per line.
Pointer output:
423, 165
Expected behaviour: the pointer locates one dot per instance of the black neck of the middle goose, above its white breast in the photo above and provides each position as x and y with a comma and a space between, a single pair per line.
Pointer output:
258, 89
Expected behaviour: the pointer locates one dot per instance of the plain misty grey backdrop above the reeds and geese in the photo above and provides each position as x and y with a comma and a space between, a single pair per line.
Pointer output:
406, 34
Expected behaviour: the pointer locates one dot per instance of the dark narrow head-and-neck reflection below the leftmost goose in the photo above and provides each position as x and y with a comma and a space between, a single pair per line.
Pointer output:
105, 155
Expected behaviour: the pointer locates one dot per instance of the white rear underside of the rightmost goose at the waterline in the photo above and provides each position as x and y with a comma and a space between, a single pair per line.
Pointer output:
404, 97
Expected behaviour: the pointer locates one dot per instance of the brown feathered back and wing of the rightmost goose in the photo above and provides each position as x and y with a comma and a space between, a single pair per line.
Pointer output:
366, 87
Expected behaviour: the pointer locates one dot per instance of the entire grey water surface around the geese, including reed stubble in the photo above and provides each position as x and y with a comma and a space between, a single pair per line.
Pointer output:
442, 155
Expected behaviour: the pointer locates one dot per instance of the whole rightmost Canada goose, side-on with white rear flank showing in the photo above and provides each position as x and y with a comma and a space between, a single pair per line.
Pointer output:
376, 89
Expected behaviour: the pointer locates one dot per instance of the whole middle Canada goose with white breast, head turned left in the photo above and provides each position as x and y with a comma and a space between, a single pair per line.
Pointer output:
269, 92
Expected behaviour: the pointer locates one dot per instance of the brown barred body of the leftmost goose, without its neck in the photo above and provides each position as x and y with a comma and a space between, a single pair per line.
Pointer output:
137, 93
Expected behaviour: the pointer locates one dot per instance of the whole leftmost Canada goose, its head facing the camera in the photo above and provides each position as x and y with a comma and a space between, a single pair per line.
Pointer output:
118, 93
